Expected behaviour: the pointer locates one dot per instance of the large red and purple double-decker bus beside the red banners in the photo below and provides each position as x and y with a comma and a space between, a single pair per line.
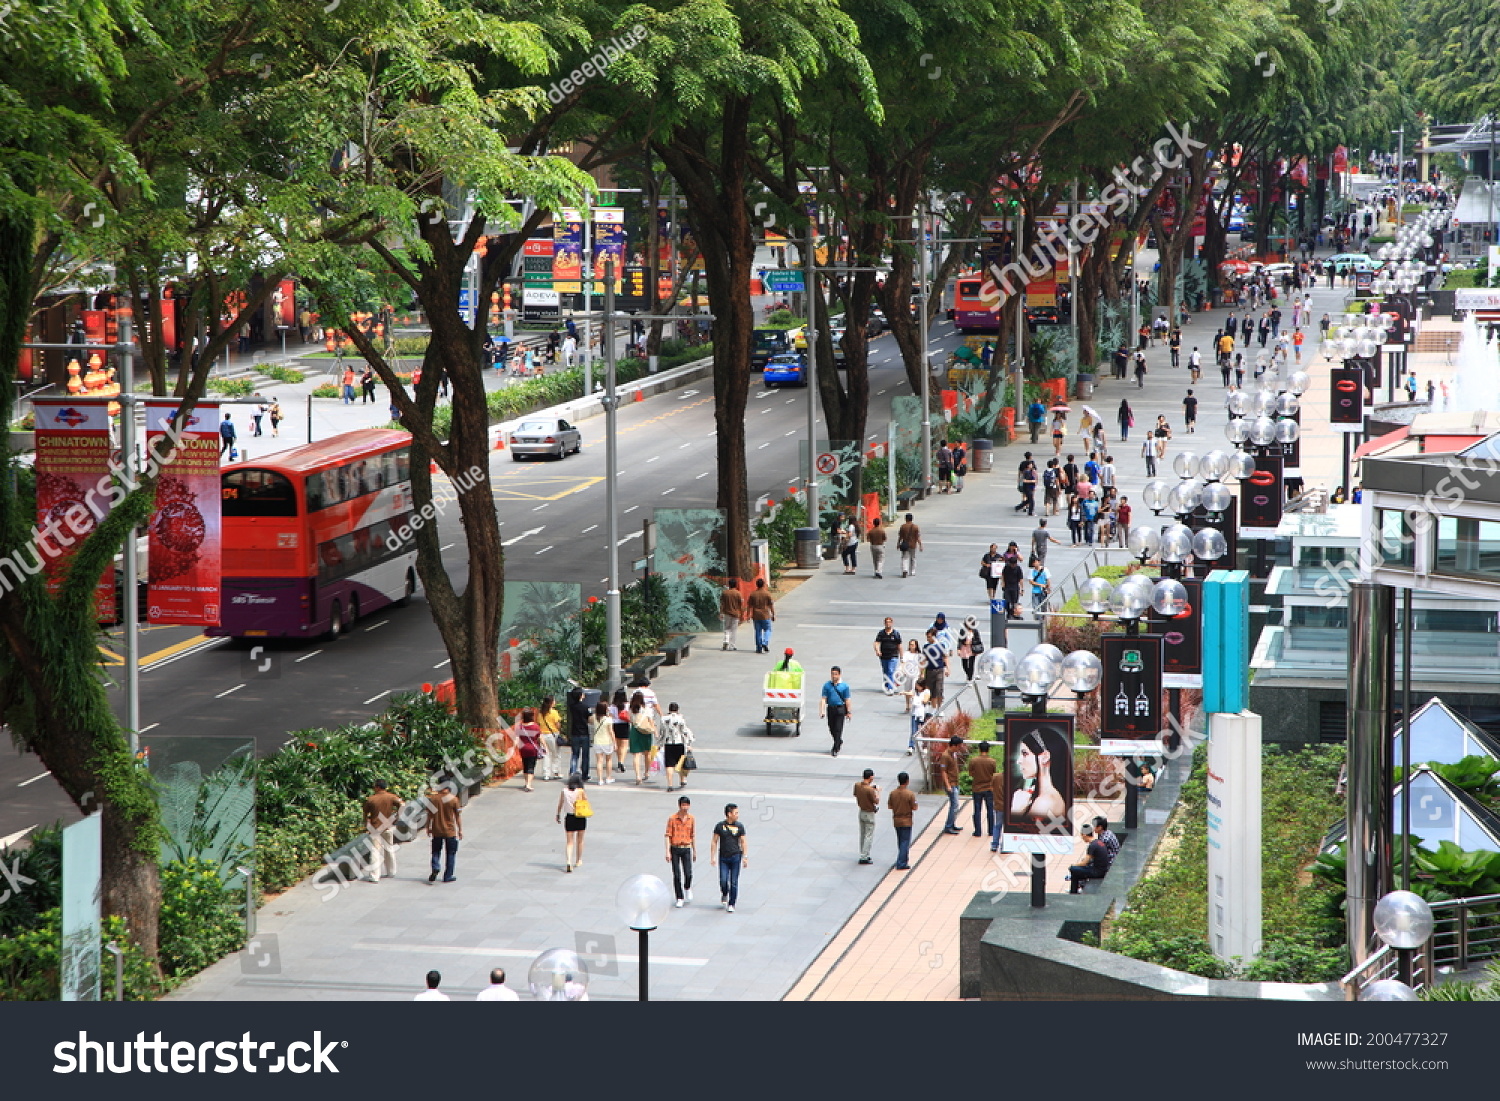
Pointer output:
317, 536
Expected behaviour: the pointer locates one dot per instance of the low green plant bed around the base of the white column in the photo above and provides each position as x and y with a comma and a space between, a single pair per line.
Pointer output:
1169, 910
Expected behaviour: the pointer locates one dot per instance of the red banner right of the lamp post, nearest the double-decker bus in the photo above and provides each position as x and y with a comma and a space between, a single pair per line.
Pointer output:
185, 547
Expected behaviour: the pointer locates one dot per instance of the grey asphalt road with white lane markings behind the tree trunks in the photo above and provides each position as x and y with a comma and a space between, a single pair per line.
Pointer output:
553, 518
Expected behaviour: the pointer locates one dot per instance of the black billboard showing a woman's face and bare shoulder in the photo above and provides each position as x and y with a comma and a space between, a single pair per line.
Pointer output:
1039, 784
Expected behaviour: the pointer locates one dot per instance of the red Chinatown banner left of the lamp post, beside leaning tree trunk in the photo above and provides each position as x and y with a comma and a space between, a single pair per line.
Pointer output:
74, 490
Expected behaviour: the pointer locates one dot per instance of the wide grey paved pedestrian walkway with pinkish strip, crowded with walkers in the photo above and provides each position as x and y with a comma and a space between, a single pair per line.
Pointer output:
803, 884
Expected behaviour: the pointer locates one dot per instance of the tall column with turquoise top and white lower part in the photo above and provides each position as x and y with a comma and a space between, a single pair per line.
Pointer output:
1234, 782
